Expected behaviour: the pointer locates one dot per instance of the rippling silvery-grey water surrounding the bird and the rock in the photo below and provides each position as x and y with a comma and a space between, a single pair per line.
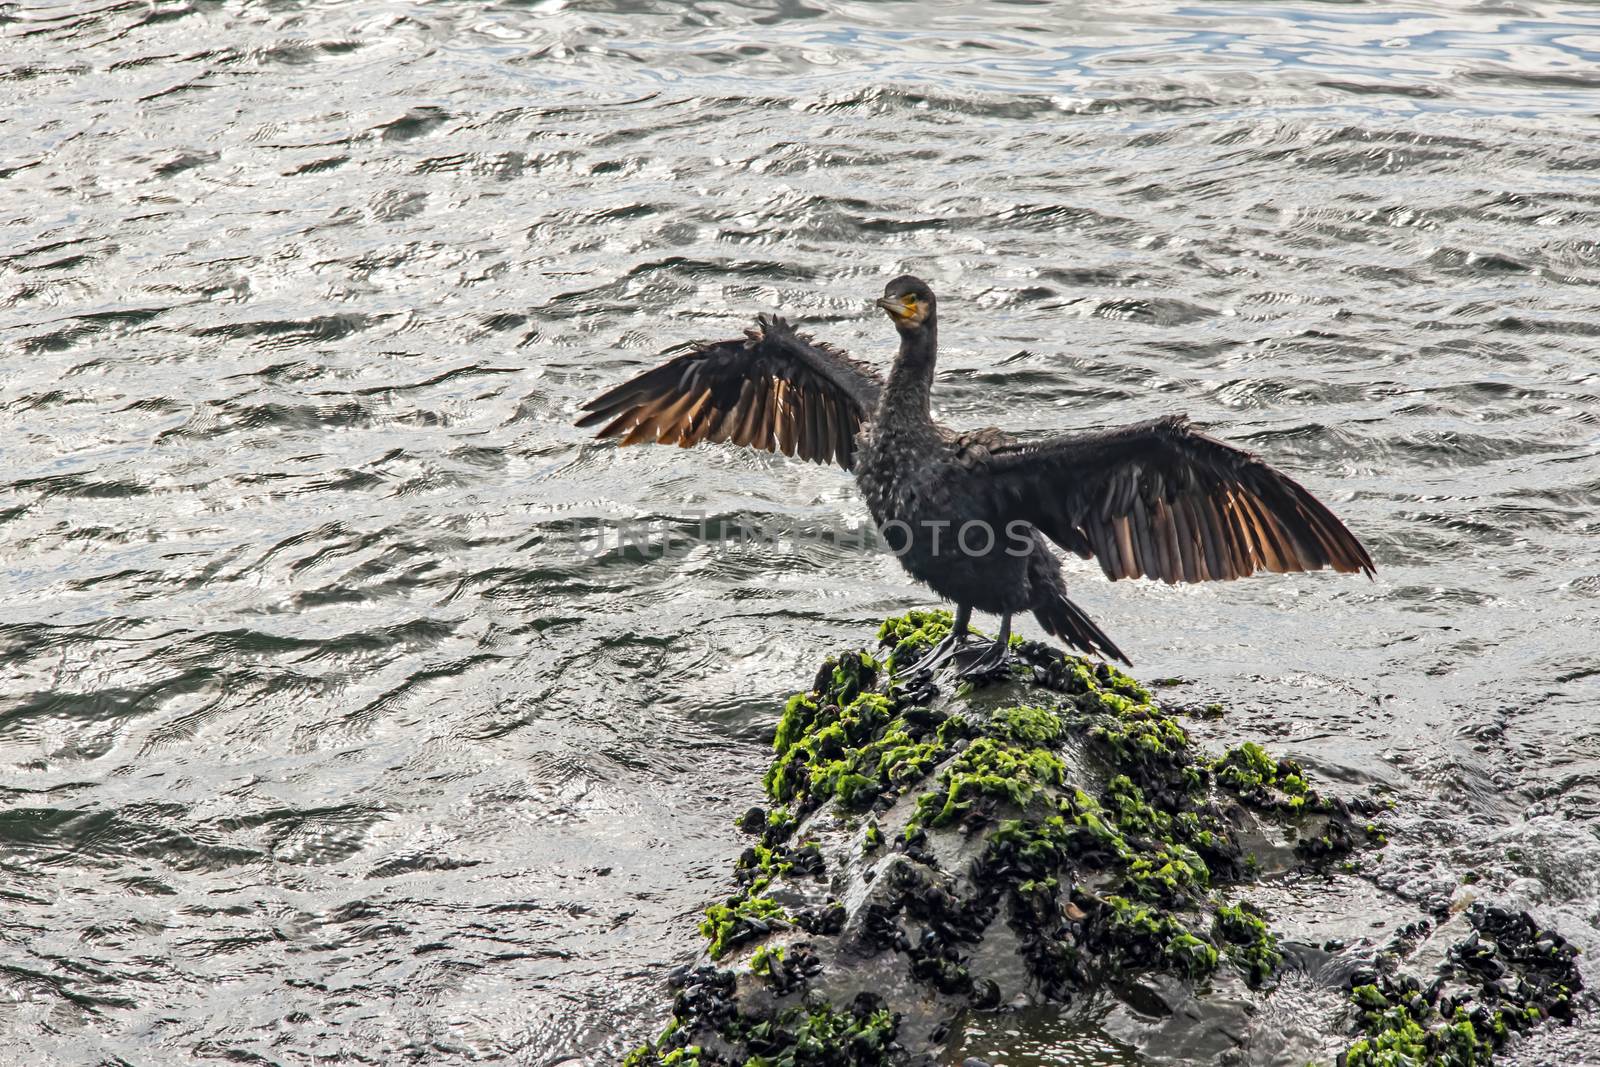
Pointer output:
322, 741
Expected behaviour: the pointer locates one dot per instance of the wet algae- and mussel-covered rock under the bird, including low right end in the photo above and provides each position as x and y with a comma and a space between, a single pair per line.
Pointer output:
945, 853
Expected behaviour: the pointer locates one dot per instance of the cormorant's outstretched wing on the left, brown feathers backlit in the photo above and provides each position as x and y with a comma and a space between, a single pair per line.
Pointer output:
774, 390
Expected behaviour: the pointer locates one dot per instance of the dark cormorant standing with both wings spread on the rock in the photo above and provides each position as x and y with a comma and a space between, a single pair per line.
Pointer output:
969, 513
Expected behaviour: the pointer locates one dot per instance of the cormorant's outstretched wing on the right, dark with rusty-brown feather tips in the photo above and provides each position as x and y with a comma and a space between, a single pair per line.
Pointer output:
1161, 500
